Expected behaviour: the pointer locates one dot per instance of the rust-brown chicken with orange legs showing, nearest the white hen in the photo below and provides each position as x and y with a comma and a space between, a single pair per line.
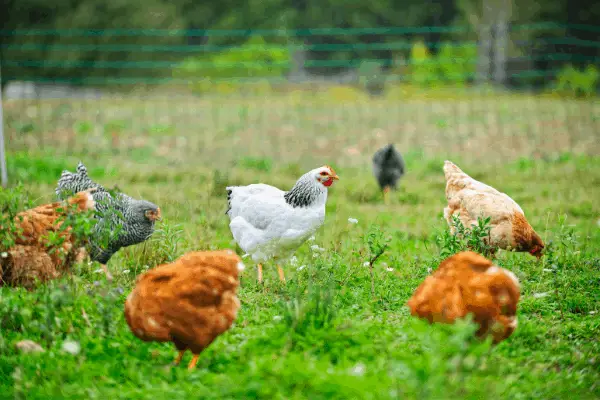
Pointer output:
188, 302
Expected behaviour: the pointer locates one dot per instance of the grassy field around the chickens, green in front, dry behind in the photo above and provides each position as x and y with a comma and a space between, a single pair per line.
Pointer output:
324, 335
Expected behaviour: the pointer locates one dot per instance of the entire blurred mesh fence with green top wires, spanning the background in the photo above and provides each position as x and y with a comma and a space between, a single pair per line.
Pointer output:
300, 96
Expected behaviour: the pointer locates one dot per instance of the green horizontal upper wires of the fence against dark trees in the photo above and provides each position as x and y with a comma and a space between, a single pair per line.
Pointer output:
535, 54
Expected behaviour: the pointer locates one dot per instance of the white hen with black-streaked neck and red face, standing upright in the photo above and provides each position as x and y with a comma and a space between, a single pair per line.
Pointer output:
268, 223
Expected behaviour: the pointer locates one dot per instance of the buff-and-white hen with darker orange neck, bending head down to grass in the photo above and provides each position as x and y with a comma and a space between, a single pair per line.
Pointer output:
470, 199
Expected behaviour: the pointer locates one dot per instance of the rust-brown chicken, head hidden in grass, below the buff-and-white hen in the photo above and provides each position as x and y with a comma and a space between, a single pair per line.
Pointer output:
468, 283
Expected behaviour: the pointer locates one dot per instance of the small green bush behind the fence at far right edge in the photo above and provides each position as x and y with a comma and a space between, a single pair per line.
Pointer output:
571, 81
